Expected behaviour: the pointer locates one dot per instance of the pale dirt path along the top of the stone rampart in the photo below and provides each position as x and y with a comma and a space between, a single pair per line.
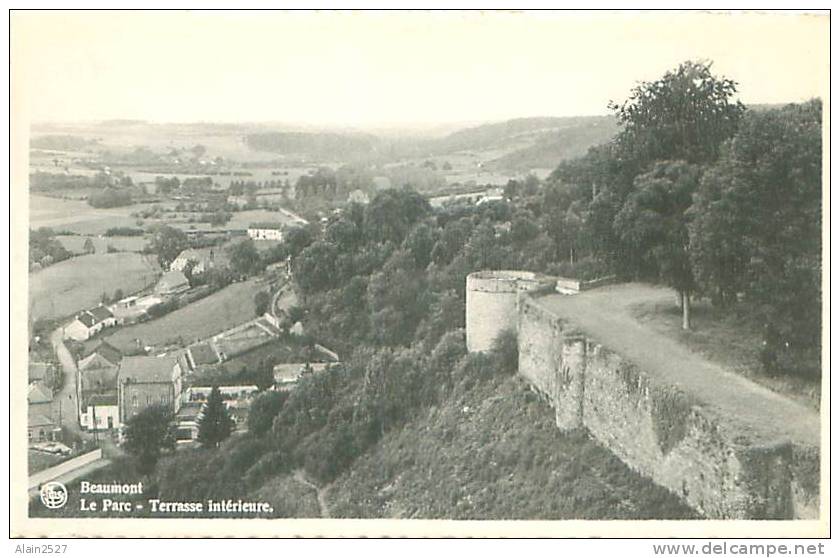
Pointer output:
604, 315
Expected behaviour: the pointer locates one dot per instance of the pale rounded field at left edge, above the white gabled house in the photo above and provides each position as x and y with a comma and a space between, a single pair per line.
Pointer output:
78, 283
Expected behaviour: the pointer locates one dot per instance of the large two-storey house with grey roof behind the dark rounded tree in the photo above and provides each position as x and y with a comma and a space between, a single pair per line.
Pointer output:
144, 381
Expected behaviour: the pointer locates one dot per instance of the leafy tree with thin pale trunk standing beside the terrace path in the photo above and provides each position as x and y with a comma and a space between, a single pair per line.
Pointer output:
653, 225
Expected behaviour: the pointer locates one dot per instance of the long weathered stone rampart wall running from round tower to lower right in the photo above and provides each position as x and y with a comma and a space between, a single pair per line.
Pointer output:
660, 431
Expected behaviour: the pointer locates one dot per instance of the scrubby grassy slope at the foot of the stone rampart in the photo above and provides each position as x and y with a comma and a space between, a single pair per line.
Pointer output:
494, 452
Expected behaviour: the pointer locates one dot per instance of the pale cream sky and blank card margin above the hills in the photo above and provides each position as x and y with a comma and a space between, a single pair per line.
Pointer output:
388, 68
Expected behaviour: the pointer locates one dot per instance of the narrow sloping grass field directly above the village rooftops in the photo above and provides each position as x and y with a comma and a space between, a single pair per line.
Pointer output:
213, 314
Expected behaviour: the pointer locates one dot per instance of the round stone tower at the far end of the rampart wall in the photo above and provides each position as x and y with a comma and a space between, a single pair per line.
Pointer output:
491, 304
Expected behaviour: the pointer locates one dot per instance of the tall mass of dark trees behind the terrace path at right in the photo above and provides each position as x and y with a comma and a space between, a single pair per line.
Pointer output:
711, 198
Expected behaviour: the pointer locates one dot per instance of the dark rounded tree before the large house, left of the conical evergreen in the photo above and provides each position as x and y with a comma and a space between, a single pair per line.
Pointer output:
147, 434
